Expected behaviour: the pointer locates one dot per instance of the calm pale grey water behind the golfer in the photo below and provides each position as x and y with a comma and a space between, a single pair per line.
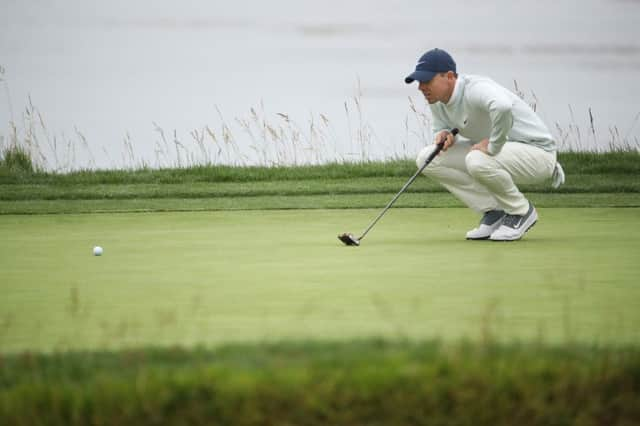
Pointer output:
107, 71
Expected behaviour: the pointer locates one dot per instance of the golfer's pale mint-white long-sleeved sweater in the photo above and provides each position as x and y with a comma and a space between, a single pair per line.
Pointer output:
481, 108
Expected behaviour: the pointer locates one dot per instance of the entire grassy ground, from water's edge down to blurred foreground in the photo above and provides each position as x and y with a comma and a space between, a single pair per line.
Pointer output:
223, 297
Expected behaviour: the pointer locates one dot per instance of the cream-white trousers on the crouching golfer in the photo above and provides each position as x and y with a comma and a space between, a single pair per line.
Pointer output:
485, 182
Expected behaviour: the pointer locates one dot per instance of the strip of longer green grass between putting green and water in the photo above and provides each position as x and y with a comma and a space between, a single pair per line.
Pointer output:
592, 180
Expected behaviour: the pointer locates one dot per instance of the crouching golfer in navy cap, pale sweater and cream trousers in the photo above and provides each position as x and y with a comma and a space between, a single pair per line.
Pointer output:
502, 143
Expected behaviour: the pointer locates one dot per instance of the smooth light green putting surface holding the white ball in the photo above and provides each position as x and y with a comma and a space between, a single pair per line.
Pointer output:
218, 277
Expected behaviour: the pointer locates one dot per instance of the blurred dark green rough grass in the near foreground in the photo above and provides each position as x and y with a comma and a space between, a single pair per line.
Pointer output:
363, 382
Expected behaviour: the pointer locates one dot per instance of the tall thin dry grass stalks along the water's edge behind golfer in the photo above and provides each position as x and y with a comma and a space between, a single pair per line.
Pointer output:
264, 138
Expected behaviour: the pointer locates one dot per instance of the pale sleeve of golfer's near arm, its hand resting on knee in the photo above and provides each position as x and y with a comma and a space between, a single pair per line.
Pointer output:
492, 99
